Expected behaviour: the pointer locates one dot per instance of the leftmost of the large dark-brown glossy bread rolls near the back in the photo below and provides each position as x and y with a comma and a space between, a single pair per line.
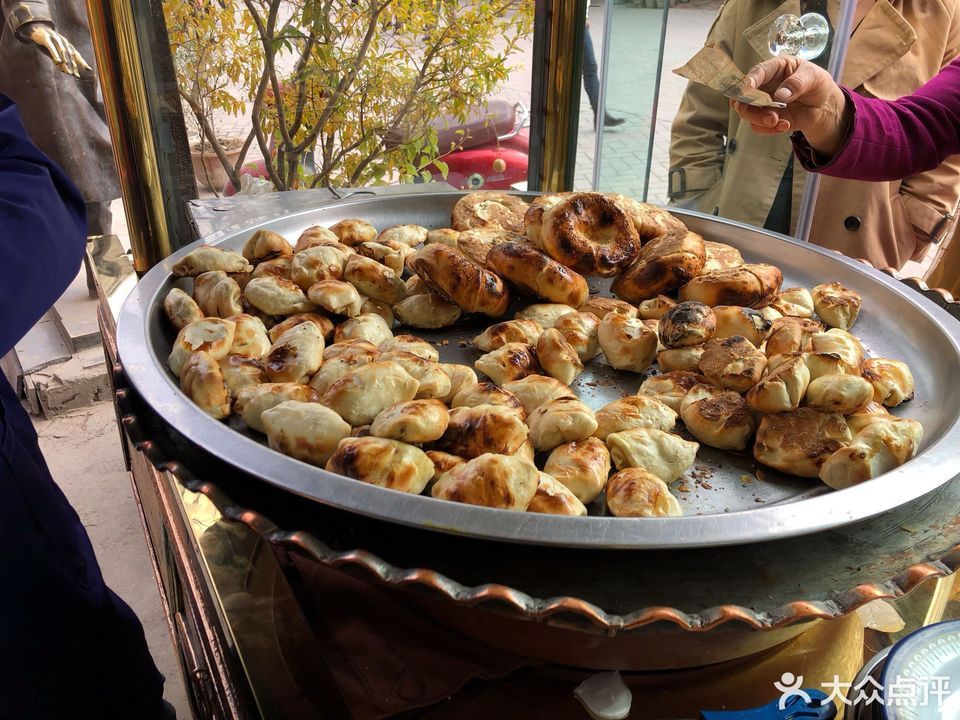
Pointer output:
449, 274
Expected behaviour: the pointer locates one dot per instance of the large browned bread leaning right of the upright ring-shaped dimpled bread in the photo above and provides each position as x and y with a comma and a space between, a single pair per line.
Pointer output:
664, 264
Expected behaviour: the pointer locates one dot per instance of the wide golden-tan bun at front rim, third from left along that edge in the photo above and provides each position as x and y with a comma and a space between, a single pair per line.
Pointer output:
498, 481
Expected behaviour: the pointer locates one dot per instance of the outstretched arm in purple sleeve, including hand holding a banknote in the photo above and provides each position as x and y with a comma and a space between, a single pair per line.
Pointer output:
842, 134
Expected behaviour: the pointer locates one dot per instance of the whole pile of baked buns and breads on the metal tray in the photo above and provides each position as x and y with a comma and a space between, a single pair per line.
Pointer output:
298, 341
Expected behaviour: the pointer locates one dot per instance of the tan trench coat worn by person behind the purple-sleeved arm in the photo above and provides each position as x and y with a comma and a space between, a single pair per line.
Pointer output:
895, 49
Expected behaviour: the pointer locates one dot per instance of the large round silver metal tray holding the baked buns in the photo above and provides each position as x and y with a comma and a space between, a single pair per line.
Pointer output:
726, 502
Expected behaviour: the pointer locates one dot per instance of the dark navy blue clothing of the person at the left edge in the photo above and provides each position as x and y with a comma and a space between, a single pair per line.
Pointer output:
69, 647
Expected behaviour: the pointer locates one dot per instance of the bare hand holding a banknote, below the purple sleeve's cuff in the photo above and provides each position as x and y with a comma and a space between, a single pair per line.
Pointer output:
815, 104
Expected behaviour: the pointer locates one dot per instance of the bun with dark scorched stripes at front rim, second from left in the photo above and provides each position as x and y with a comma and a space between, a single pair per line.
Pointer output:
386, 463
